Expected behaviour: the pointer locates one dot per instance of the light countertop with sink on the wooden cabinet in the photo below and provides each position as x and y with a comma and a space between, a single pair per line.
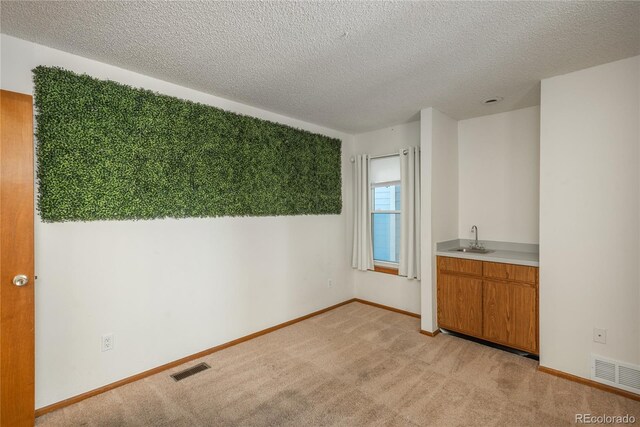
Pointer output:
504, 252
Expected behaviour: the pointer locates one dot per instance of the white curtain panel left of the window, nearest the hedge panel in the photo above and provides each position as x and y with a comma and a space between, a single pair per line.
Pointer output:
362, 257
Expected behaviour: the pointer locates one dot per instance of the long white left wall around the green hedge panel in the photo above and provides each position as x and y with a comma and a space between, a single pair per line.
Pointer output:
167, 288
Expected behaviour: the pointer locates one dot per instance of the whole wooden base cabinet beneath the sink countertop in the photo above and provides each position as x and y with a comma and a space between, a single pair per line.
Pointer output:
492, 301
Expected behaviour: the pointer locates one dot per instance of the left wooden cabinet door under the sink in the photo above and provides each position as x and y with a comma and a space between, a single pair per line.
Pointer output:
460, 303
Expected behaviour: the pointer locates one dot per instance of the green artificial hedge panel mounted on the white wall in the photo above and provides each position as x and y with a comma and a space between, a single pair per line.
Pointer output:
107, 151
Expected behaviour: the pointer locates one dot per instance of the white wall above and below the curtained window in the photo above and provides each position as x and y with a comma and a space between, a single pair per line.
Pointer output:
394, 291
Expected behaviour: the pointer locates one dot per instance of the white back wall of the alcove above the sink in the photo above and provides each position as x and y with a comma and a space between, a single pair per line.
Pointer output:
499, 176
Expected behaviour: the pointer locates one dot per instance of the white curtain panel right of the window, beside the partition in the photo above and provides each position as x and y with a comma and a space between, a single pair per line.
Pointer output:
410, 217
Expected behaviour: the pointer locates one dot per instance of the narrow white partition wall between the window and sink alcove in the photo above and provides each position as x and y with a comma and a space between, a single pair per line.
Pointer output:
439, 169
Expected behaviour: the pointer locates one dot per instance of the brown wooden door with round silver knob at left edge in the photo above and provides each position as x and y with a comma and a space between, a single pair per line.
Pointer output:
16, 258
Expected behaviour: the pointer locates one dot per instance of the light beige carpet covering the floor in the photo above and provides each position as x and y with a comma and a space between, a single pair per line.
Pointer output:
353, 366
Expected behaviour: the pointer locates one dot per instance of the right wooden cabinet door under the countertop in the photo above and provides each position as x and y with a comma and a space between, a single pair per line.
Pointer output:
510, 314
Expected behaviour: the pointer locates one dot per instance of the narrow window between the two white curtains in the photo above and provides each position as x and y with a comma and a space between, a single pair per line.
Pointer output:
385, 211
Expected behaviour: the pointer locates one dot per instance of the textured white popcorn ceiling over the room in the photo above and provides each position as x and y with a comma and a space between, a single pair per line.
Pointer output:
352, 66
